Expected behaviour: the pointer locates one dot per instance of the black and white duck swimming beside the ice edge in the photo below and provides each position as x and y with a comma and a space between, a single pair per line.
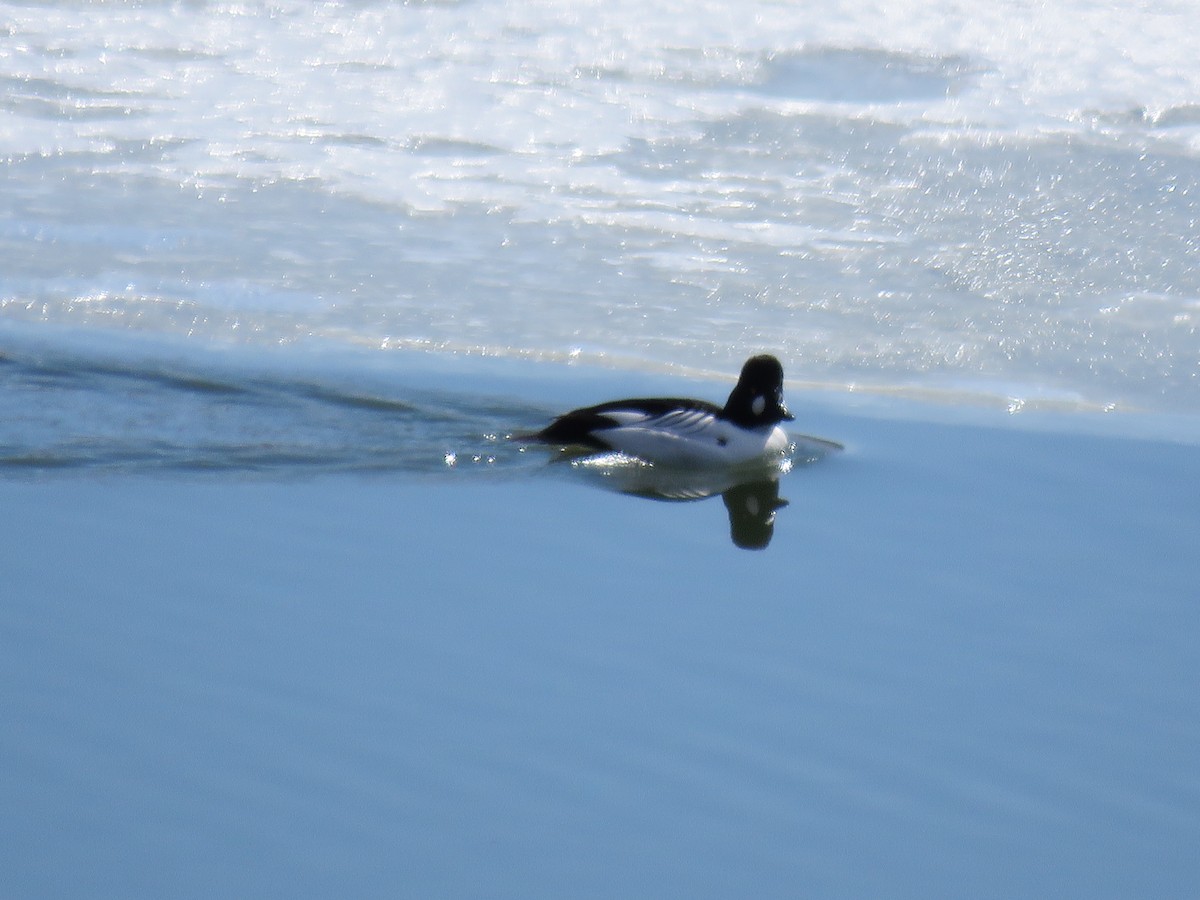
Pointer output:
671, 431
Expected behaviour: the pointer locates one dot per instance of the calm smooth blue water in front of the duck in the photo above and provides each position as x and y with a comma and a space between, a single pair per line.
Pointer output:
955, 673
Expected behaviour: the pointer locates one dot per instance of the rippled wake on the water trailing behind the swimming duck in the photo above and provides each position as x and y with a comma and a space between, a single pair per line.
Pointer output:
71, 413
